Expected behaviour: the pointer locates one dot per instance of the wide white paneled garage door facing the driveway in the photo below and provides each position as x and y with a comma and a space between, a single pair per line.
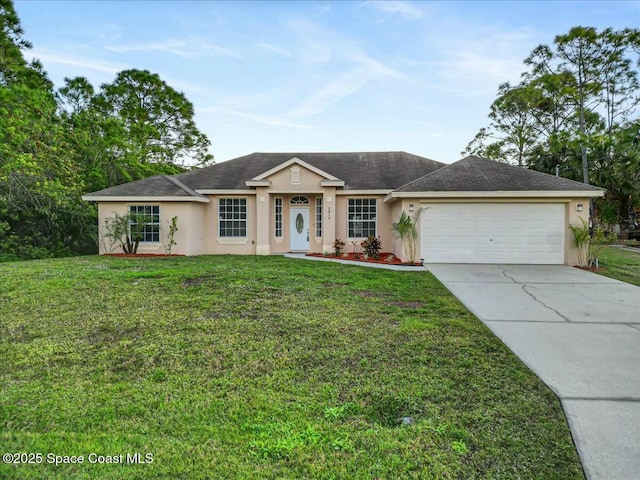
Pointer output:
493, 233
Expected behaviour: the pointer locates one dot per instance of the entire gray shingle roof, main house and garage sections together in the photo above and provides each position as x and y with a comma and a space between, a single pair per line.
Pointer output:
399, 171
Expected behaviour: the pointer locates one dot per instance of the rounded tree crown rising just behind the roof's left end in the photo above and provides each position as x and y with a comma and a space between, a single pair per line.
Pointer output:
158, 120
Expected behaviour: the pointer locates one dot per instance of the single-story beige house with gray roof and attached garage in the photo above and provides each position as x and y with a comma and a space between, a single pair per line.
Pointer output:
475, 210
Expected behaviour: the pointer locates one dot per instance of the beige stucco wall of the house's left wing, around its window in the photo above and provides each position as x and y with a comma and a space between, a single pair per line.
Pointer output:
188, 238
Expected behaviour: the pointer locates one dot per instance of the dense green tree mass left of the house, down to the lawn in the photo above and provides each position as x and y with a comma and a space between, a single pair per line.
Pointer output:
57, 144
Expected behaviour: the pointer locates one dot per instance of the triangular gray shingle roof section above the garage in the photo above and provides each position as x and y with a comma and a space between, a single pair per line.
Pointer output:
475, 174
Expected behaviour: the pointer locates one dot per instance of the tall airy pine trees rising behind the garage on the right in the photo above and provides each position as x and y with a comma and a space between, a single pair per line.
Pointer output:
568, 113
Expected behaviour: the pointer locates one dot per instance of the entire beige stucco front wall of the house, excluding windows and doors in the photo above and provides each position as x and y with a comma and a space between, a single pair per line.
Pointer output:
198, 222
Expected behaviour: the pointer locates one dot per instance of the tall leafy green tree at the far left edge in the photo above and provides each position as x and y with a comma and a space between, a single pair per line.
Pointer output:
40, 191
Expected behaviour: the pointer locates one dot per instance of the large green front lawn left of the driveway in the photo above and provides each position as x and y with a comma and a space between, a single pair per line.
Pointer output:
263, 367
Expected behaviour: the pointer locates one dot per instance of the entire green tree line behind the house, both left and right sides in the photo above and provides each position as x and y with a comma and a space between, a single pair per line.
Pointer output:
574, 112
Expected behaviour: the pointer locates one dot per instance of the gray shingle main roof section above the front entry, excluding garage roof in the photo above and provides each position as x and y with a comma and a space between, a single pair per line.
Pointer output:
359, 170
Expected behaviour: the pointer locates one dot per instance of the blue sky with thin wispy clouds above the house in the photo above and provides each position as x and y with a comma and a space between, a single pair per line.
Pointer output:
315, 76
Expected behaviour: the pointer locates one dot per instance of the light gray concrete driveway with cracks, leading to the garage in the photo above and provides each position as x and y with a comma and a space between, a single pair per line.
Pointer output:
580, 333
